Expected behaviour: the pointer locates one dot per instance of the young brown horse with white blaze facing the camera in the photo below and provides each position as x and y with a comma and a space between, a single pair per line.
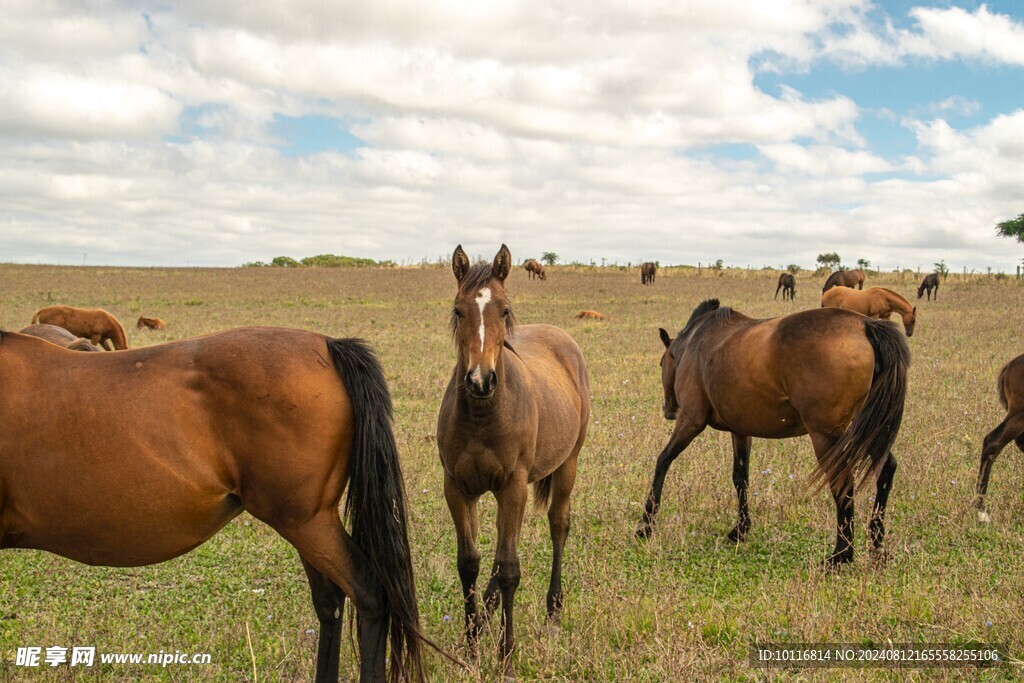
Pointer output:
516, 413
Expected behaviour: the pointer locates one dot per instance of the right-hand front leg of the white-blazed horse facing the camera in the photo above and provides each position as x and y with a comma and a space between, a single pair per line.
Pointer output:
511, 509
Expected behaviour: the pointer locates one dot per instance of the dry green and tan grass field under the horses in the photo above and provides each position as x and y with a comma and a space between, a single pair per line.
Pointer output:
684, 607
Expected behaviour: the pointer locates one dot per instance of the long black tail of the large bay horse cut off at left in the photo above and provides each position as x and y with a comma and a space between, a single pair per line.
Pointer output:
375, 505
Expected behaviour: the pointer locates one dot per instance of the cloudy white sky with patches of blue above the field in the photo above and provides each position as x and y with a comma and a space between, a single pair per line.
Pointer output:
207, 133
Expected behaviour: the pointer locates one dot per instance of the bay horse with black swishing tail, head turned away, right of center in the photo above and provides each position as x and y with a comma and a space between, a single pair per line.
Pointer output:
832, 374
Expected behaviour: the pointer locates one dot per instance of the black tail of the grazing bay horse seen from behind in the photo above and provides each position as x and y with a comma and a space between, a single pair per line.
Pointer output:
865, 446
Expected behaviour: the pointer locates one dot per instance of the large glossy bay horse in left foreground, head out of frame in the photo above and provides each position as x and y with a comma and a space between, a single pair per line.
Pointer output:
272, 421
